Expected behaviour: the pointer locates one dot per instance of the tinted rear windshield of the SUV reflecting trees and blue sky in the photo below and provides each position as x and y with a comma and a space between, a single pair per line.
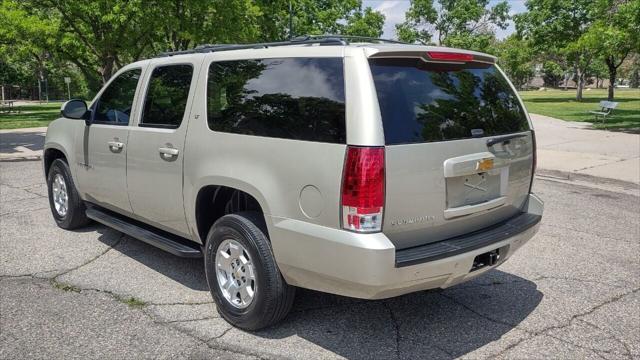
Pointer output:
425, 102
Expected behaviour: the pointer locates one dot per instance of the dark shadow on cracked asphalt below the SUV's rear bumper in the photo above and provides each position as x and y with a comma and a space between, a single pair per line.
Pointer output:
429, 324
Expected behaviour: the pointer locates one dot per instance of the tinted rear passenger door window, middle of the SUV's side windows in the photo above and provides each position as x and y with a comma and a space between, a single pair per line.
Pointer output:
167, 95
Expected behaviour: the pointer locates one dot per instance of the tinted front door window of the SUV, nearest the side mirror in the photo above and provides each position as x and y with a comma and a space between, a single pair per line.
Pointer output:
114, 105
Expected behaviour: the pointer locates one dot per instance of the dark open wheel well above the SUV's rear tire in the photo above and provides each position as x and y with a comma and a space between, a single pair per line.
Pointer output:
213, 202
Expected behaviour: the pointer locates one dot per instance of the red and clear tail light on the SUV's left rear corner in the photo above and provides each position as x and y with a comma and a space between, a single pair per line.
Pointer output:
363, 189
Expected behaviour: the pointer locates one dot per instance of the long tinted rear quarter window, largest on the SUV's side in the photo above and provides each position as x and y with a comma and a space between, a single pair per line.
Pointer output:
292, 98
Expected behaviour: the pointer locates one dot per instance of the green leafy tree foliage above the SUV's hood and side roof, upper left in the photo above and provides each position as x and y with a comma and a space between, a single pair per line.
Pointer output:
98, 37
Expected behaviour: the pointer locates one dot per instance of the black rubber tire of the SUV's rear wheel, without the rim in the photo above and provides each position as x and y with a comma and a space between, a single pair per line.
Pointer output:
273, 296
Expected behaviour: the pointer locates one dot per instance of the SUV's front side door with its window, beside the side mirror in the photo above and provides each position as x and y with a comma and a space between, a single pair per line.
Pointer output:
103, 145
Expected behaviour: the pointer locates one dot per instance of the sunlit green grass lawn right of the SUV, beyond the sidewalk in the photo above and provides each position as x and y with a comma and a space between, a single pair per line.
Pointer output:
562, 104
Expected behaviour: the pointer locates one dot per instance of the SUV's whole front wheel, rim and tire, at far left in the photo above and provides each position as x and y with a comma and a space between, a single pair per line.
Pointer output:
66, 206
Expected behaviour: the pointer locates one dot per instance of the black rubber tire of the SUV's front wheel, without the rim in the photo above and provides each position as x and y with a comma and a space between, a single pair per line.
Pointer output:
75, 216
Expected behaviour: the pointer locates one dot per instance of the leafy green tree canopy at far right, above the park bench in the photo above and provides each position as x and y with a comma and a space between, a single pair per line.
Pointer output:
581, 31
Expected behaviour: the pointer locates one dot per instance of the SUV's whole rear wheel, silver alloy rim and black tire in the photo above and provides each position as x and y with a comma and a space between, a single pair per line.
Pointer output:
242, 274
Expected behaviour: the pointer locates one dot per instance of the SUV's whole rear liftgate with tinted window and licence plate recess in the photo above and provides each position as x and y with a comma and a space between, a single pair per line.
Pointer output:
459, 149
